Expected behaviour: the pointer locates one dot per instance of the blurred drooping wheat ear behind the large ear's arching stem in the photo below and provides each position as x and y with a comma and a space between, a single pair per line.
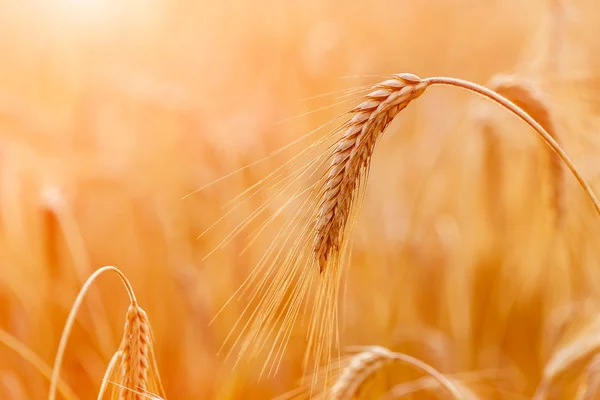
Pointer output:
530, 98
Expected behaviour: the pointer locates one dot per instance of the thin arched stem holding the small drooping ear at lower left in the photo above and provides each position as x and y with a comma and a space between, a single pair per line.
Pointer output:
71, 320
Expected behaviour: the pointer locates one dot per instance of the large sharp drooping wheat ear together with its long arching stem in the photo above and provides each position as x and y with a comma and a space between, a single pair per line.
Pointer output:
352, 155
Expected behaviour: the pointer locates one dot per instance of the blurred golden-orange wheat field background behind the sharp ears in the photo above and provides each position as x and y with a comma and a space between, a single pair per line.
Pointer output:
111, 112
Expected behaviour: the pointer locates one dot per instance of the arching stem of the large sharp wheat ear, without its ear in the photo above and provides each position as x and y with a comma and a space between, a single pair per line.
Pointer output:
509, 105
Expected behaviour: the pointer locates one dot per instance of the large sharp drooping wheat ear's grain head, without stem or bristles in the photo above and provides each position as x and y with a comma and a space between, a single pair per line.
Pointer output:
352, 157
